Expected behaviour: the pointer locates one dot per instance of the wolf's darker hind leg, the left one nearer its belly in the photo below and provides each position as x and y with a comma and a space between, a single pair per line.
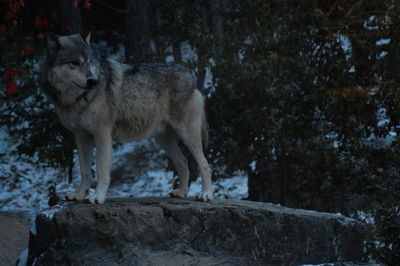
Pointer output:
169, 143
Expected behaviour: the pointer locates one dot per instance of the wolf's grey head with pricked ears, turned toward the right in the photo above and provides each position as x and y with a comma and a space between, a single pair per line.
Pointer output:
71, 64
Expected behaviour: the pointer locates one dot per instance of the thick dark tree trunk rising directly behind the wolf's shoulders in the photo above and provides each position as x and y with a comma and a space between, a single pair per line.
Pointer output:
137, 31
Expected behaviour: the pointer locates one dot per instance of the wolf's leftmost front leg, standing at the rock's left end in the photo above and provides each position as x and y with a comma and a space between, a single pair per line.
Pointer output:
85, 145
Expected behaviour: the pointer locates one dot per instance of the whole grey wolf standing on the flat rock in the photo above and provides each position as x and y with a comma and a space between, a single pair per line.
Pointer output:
101, 100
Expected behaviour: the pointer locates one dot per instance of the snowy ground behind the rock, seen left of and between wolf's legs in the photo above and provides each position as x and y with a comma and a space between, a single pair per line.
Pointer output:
24, 183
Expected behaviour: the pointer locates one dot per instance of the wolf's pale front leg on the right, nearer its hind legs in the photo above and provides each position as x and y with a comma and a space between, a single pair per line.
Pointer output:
103, 142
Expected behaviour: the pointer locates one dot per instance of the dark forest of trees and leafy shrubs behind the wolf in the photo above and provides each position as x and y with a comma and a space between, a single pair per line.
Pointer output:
304, 95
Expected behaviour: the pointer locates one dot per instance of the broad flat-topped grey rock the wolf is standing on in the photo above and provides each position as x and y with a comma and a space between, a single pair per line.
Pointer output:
167, 231
